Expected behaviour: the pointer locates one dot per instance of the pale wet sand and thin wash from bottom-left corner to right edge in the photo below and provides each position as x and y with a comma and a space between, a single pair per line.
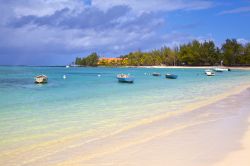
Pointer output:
202, 134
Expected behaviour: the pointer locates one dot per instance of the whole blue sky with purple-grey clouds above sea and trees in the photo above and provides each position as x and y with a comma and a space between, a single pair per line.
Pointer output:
54, 32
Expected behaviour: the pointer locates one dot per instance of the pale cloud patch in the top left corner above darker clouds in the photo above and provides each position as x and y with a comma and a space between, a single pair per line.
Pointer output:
12, 9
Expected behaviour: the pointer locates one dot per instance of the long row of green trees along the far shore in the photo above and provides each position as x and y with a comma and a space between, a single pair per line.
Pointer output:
195, 53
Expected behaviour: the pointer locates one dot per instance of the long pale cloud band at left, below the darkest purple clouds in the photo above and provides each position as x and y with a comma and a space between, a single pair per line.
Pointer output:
33, 39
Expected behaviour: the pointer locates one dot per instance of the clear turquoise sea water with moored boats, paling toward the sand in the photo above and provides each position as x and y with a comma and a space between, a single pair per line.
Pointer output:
87, 104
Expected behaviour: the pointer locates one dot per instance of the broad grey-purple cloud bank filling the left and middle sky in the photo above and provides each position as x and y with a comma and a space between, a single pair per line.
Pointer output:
111, 27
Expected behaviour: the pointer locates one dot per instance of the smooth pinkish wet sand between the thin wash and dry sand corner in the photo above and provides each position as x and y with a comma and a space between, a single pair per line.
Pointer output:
147, 140
